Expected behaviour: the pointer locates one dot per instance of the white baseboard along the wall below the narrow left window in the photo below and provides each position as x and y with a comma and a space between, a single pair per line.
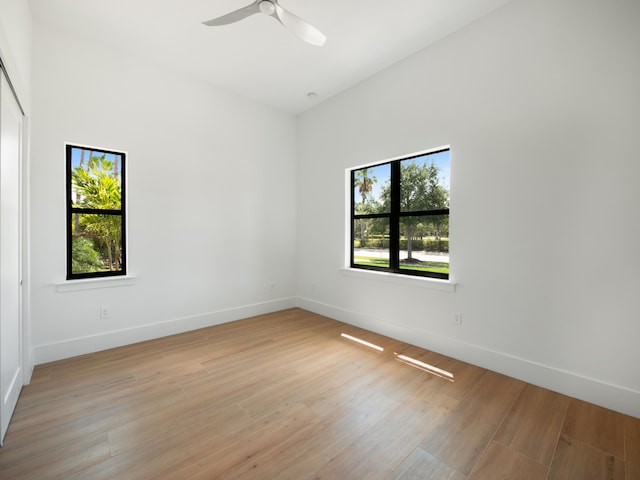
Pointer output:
94, 343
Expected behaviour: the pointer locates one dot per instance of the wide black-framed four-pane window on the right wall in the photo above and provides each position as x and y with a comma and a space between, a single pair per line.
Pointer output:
400, 215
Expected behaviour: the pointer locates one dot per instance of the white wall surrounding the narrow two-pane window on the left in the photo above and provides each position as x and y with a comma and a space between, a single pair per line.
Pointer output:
211, 198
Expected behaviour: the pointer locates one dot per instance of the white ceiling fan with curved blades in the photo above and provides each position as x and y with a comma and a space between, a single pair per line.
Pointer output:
272, 8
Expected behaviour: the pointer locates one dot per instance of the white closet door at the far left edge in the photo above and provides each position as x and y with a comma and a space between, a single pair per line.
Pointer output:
10, 254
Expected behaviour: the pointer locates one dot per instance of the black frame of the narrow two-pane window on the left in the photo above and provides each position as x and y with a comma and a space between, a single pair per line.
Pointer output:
73, 210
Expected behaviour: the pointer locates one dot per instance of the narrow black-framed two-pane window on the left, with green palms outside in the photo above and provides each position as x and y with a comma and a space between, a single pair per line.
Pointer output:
95, 213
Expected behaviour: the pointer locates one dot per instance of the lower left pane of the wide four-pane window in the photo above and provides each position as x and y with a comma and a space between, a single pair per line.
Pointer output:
371, 242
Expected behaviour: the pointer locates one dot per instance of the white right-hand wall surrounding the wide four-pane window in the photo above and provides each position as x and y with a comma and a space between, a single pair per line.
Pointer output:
541, 105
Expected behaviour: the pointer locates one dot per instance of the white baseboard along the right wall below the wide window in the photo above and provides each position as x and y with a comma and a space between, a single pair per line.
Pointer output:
591, 390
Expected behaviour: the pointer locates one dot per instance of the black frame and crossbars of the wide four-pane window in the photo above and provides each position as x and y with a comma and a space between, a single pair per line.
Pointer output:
395, 215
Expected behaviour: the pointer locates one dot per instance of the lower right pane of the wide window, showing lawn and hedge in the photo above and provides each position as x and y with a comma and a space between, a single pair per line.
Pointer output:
424, 243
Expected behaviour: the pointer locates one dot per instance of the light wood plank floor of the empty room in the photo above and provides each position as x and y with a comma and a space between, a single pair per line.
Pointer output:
285, 396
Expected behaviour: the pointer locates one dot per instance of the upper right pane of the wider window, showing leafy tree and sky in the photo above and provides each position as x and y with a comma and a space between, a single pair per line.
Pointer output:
424, 182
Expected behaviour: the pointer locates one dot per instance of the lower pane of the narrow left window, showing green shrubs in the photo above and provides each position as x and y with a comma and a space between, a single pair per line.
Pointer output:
97, 243
